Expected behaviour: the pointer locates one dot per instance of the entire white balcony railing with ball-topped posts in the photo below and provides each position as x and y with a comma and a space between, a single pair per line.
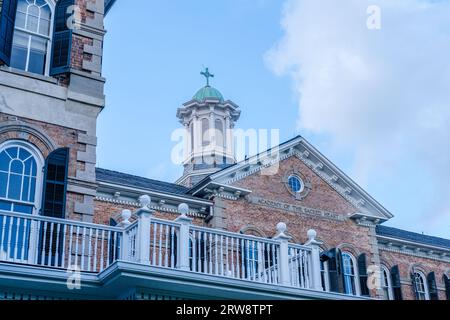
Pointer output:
64, 244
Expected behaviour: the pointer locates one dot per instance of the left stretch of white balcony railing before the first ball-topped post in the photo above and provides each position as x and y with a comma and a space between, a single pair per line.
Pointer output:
57, 243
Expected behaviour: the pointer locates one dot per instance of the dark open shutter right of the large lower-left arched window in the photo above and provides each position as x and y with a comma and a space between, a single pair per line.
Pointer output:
55, 184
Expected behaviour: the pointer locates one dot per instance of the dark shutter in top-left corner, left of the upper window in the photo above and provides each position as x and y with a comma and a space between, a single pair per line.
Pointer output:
7, 18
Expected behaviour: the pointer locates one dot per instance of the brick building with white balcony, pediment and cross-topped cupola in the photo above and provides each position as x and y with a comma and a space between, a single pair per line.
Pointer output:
283, 224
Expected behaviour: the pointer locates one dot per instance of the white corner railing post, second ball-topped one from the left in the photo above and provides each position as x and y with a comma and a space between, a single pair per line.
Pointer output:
143, 234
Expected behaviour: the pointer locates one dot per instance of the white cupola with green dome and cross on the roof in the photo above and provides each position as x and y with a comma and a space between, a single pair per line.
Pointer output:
209, 120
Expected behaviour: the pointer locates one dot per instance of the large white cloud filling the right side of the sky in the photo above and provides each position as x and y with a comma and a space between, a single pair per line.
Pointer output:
385, 93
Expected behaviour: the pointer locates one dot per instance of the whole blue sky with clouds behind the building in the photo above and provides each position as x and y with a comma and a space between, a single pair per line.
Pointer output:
374, 102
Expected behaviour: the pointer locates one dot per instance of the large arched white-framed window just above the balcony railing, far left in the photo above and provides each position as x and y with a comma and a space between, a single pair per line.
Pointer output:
20, 175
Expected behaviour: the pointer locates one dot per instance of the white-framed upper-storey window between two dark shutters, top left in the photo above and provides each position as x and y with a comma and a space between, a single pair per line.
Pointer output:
32, 36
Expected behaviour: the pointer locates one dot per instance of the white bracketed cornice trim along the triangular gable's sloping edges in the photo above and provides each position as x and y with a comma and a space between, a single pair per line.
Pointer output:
226, 182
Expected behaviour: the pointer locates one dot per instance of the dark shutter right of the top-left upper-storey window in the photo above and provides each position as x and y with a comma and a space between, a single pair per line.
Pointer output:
62, 38
